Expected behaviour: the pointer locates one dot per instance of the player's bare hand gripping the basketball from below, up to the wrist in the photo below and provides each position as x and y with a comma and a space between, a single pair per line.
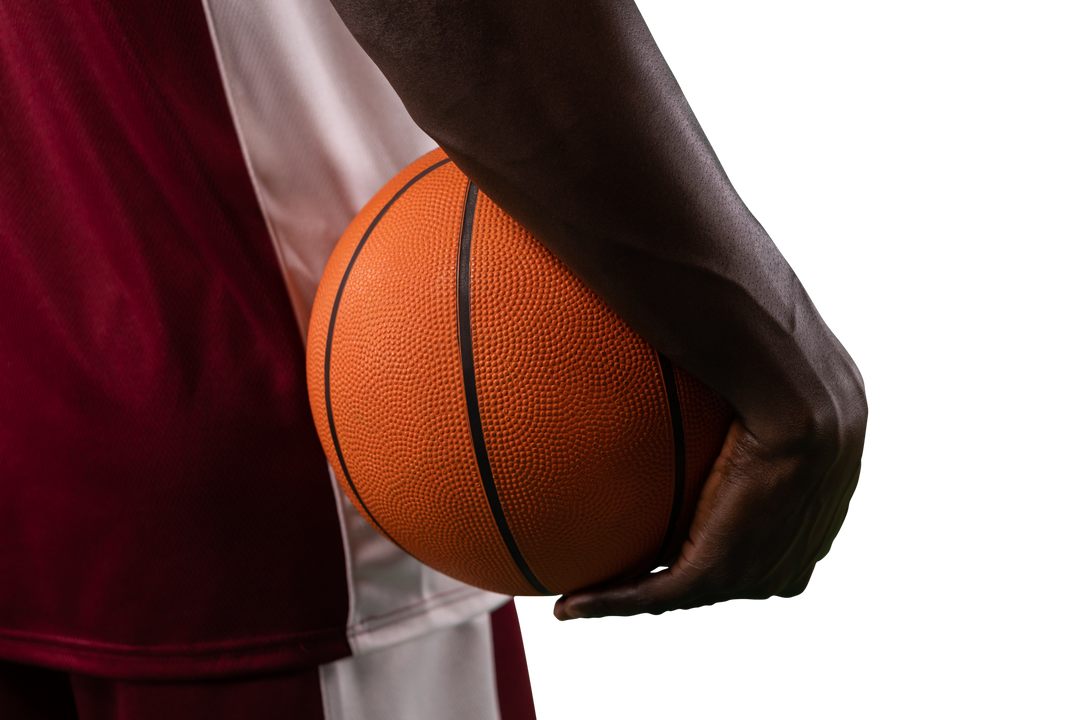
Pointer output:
764, 524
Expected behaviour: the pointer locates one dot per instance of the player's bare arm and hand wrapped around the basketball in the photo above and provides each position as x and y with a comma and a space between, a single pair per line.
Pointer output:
568, 115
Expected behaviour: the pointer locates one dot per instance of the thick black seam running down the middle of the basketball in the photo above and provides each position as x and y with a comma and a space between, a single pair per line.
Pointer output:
472, 400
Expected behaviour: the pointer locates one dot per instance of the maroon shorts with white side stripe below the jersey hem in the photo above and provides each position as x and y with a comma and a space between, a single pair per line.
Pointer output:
477, 671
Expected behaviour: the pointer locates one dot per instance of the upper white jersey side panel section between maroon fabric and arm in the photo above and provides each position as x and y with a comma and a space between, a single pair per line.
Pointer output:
321, 128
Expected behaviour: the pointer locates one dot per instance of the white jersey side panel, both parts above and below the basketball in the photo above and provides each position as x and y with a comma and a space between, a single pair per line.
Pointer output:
322, 132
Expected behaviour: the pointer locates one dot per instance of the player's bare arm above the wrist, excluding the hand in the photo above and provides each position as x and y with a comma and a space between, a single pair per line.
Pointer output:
566, 115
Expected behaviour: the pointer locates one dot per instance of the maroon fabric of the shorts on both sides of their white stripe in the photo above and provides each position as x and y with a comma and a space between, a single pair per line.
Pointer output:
35, 694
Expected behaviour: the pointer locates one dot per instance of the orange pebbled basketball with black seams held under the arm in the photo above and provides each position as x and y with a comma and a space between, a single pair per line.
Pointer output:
489, 413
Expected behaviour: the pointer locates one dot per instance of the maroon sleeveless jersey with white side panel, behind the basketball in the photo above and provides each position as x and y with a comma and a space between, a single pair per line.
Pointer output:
173, 179
